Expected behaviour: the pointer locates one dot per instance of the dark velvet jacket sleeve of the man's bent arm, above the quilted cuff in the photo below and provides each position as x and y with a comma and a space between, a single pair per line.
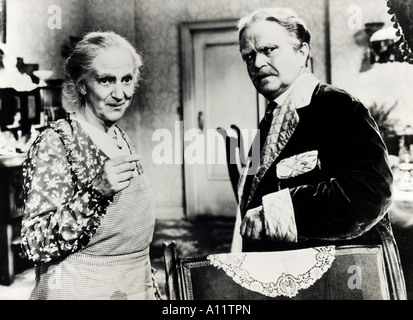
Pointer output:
355, 190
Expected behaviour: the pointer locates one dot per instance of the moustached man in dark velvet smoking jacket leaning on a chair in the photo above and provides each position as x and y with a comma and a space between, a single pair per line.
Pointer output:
323, 175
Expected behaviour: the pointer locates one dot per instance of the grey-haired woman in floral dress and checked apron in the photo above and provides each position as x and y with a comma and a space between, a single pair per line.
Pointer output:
89, 210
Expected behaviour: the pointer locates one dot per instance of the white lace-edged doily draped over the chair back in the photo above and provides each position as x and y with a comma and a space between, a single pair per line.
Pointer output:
276, 273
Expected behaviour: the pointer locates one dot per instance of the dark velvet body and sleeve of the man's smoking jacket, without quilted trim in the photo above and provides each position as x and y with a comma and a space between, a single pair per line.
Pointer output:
344, 199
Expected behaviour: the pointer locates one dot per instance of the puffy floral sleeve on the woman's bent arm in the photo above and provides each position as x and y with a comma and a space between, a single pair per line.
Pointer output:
60, 216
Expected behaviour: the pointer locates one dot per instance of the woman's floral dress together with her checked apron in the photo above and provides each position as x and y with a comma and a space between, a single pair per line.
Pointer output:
84, 245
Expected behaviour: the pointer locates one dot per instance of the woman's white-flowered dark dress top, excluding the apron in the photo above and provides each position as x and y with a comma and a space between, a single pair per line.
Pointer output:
62, 208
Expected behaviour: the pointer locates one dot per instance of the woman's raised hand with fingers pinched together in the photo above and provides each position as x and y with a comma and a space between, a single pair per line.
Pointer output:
116, 174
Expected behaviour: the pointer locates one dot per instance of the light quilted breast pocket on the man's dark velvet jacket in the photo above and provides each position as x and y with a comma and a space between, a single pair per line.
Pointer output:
298, 164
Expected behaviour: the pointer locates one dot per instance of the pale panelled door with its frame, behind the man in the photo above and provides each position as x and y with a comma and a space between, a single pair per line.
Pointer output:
217, 92
